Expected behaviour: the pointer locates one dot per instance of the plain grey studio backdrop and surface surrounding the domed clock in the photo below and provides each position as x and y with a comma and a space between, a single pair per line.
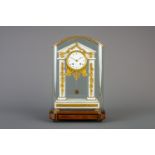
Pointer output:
26, 76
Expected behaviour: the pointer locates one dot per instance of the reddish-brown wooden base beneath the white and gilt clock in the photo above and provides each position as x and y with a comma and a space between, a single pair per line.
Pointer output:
79, 115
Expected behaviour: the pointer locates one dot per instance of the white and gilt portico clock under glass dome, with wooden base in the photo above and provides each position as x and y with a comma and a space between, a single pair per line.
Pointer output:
77, 79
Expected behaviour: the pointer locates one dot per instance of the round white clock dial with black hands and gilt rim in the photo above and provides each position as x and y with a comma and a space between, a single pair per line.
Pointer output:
76, 60
